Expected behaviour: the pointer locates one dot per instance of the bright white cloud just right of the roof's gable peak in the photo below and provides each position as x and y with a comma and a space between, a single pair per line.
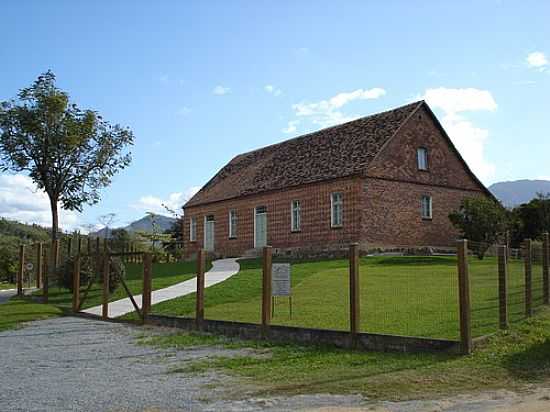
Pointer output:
469, 139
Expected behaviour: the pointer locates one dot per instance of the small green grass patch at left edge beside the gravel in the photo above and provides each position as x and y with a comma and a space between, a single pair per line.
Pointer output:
18, 310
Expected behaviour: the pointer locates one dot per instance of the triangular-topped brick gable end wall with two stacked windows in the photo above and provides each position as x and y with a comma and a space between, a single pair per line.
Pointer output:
392, 213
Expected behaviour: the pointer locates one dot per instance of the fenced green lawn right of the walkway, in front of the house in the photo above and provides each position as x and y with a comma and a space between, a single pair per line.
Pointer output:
415, 296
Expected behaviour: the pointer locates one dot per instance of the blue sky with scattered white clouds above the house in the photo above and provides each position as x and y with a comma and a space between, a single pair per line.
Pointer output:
199, 82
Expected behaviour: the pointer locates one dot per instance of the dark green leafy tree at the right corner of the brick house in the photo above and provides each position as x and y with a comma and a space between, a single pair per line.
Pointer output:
480, 220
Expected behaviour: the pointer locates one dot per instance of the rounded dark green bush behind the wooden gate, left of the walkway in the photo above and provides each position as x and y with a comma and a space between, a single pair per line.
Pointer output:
90, 268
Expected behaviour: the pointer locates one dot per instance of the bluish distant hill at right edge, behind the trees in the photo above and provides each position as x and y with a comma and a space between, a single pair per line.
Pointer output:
519, 191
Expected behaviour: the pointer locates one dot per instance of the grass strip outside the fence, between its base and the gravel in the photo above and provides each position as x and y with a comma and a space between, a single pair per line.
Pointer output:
508, 360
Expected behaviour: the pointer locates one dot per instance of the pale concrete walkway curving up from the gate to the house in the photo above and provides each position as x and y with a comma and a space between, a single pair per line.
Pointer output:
222, 269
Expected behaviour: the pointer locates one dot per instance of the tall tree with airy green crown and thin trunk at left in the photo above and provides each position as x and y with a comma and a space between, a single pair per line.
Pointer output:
68, 152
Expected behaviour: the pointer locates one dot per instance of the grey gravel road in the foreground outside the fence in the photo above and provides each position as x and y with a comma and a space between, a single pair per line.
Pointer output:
76, 364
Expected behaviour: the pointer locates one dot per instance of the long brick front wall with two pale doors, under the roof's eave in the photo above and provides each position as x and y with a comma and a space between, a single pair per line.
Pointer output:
316, 231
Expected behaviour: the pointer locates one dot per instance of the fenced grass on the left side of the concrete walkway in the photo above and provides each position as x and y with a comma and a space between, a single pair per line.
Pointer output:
164, 275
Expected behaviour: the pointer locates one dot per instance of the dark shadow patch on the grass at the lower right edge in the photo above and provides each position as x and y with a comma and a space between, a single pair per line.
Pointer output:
533, 363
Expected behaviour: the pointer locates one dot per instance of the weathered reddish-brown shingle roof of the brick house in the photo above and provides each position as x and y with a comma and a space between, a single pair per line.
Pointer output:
338, 151
